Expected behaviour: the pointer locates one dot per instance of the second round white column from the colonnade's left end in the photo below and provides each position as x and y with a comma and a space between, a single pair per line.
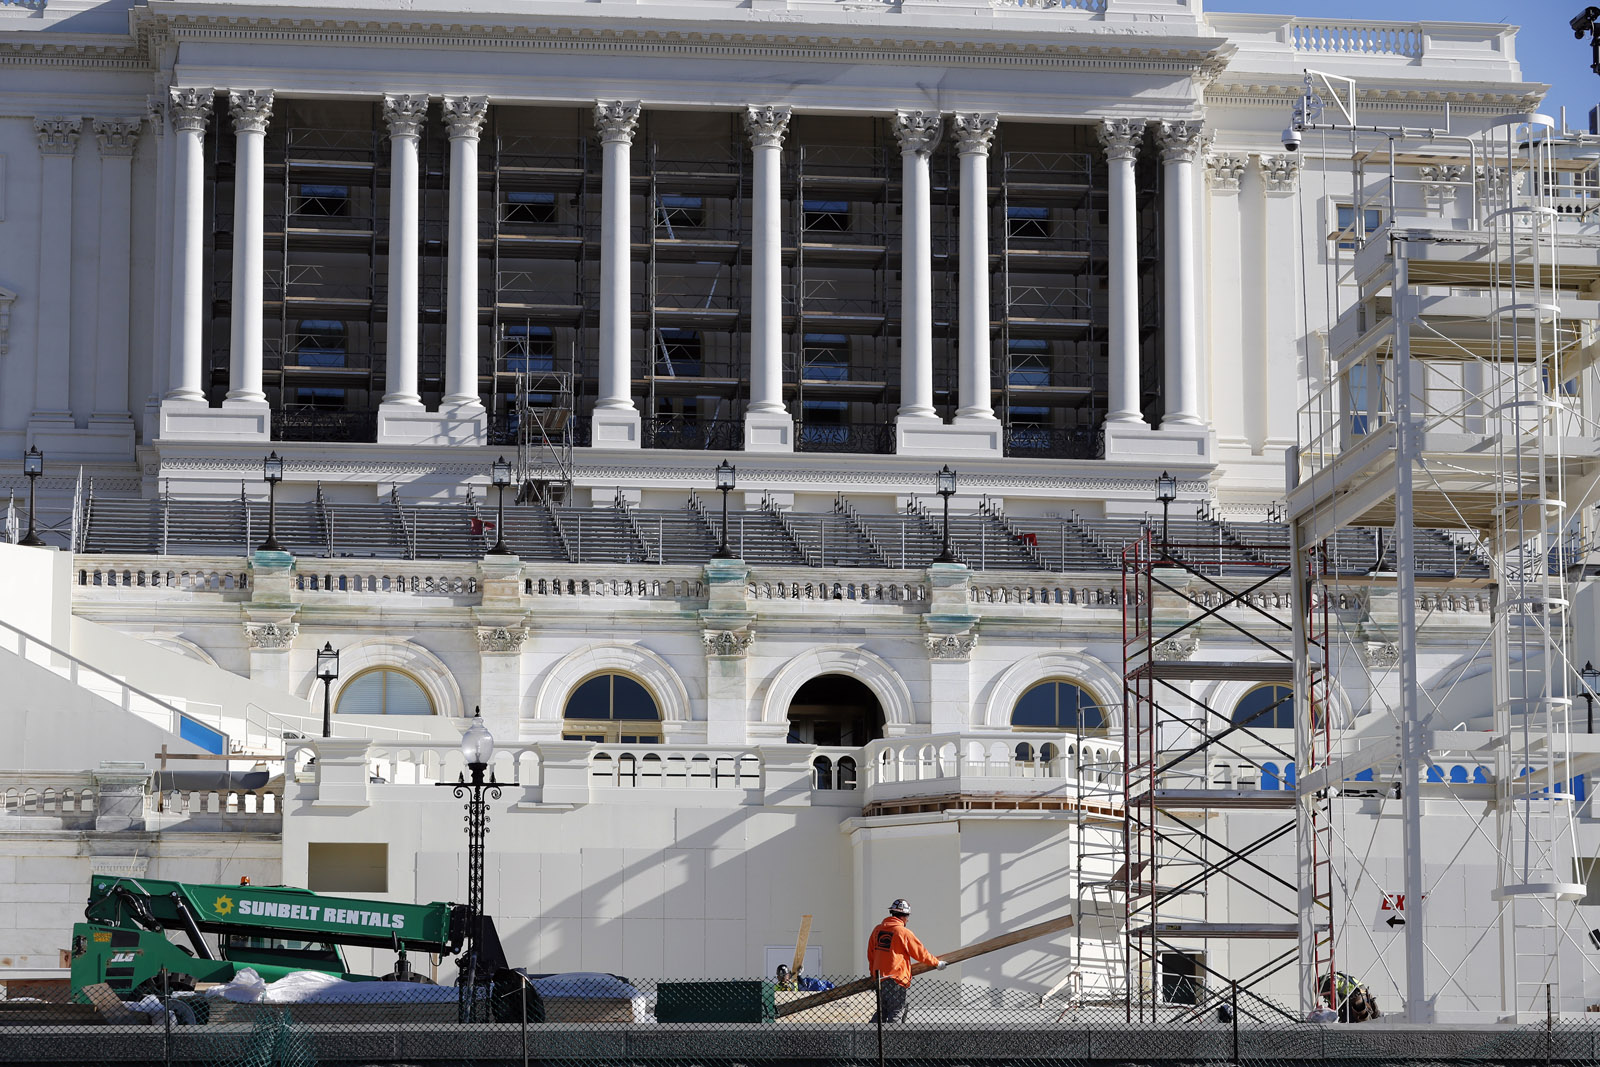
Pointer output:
250, 110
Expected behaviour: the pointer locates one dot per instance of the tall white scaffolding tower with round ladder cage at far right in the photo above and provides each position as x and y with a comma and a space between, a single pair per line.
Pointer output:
1450, 396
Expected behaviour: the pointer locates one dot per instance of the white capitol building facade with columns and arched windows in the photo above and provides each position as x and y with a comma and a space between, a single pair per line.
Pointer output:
1060, 249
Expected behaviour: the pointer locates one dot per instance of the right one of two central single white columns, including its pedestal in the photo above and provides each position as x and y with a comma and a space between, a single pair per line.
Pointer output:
767, 423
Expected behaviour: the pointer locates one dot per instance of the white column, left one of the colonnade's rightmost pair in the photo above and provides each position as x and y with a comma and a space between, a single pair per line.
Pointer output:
1122, 138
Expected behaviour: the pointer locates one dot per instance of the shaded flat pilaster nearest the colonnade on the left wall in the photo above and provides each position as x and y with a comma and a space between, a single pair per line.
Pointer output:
118, 140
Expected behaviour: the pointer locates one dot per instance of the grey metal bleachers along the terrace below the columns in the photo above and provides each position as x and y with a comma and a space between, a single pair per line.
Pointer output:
844, 537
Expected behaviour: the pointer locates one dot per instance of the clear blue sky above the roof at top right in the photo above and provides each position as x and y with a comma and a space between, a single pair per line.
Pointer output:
1545, 44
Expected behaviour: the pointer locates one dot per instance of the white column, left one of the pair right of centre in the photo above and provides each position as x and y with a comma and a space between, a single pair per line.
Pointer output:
919, 137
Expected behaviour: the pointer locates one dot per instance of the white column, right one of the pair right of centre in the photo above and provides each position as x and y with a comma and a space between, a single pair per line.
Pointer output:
974, 134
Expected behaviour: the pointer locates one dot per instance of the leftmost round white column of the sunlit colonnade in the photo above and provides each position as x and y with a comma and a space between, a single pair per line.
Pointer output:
191, 113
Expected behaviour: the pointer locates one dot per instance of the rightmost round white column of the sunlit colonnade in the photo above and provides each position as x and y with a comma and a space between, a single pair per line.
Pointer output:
1180, 145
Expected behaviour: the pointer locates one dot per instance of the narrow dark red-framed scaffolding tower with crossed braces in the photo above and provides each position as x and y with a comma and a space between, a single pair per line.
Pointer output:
1193, 764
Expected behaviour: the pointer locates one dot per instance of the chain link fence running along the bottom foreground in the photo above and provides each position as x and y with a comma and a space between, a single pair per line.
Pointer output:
609, 1021
